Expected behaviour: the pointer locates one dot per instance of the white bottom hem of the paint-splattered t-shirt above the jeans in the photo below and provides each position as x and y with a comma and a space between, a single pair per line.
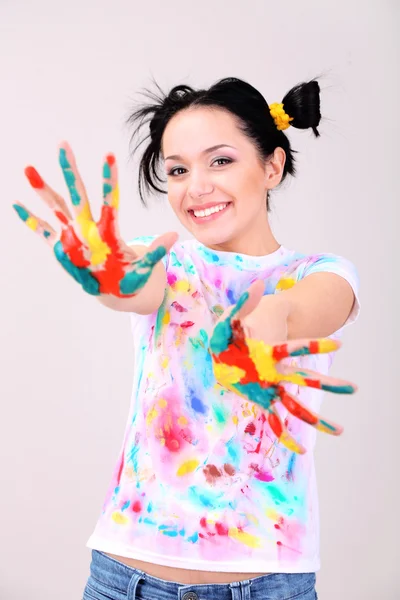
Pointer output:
240, 566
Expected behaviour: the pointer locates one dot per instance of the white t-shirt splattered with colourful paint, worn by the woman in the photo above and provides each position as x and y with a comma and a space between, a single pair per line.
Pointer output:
201, 481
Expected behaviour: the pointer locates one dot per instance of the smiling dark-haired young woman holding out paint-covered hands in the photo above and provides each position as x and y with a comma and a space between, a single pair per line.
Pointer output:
214, 493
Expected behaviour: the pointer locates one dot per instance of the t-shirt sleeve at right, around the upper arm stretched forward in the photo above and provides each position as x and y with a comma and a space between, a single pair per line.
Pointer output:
330, 263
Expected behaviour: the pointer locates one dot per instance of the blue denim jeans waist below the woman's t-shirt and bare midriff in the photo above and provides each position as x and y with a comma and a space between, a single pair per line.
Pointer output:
112, 580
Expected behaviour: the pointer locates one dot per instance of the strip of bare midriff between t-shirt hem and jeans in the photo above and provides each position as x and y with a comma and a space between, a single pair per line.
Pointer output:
186, 576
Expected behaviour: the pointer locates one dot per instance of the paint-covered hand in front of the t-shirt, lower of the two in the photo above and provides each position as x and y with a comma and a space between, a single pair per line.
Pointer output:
253, 369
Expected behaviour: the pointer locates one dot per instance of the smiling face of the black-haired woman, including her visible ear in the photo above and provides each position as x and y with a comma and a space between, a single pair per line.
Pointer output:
217, 183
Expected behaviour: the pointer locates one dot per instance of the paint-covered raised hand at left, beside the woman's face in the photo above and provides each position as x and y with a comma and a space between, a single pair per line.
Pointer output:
92, 252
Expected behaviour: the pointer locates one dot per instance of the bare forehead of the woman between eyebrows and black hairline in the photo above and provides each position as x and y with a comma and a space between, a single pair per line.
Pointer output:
192, 130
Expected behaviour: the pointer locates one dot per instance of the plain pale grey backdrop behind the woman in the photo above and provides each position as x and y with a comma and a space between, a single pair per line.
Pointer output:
72, 70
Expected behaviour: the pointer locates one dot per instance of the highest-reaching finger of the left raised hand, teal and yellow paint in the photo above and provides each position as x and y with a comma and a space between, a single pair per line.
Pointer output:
79, 199
